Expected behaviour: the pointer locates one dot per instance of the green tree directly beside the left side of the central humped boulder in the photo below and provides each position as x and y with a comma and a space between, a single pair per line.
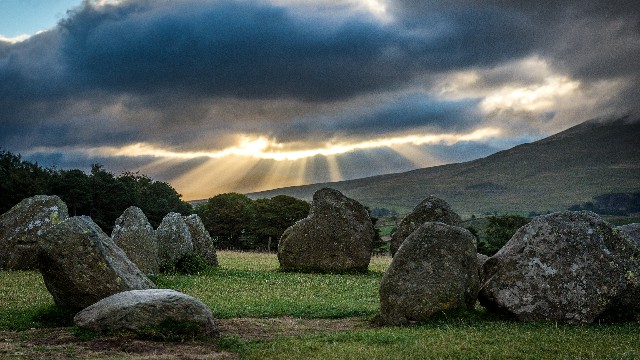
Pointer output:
274, 216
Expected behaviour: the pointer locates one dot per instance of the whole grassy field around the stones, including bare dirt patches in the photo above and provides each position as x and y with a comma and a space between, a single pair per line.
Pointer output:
266, 314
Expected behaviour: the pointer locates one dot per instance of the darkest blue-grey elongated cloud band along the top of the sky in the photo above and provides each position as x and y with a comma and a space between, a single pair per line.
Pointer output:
253, 50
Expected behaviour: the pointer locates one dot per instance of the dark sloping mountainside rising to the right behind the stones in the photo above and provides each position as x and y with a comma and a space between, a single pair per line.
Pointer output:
571, 167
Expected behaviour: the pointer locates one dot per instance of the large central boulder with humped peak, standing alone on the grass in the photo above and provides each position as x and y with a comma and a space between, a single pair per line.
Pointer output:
337, 236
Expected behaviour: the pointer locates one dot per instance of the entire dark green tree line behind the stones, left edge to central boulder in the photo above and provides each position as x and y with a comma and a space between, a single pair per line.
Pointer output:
233, 220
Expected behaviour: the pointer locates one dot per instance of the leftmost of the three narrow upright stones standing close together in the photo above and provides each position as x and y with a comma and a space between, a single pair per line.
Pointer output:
135, 236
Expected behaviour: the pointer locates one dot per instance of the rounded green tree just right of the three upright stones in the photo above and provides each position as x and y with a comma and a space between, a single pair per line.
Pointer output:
227, 217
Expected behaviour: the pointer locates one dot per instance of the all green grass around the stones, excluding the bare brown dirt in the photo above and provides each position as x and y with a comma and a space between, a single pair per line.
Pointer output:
250, 285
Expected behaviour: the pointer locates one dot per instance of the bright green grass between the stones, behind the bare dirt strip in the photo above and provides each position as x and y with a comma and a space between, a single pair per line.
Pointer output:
250, 285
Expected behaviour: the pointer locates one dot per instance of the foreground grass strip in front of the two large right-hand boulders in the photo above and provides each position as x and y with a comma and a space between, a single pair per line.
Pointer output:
459, 340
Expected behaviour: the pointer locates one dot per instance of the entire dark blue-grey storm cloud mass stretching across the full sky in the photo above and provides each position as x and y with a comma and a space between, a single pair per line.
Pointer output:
151, 71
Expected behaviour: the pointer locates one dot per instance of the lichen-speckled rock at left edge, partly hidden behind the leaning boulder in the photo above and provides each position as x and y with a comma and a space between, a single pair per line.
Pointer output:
22, 226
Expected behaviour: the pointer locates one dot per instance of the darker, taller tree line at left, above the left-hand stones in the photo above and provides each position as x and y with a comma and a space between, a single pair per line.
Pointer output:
98, 194
